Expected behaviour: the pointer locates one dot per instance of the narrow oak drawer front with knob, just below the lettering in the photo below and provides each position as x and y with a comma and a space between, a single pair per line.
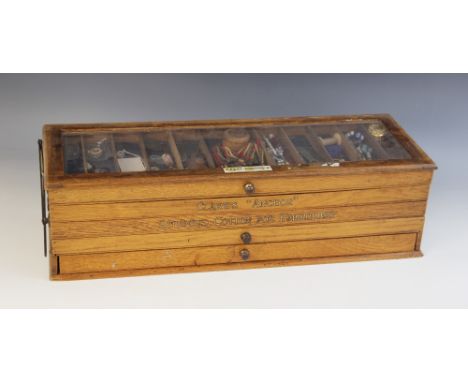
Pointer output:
233, 236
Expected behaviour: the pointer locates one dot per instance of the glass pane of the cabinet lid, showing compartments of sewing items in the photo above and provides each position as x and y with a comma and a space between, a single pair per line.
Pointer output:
234, 149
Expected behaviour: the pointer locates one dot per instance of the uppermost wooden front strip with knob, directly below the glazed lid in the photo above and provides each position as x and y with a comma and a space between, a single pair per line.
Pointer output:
158, 189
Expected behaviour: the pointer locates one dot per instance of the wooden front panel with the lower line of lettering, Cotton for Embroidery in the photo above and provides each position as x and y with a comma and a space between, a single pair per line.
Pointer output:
233, 219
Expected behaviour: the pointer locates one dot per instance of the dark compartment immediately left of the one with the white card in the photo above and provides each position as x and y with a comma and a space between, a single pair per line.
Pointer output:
99, 153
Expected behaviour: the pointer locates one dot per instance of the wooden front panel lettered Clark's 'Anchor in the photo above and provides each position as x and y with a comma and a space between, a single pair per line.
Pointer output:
247, 205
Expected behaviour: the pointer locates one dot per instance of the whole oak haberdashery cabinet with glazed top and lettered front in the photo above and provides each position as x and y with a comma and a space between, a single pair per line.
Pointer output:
125, 199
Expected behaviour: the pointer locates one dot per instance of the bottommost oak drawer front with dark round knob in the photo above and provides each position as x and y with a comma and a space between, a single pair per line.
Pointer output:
193, 257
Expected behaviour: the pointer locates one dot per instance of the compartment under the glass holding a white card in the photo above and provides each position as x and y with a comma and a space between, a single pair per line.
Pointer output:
130, 153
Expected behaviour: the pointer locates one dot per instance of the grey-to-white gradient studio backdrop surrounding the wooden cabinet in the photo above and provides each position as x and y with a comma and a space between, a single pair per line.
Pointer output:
428, 106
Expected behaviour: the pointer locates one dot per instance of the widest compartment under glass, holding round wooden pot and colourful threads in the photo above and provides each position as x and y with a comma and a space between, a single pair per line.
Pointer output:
235, 147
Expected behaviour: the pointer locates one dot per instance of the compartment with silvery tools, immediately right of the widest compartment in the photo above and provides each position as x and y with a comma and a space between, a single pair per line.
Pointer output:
278, 147
